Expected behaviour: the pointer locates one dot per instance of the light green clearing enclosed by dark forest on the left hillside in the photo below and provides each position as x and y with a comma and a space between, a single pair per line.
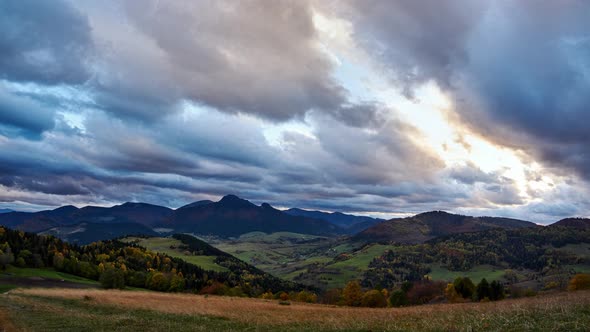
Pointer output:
164, 244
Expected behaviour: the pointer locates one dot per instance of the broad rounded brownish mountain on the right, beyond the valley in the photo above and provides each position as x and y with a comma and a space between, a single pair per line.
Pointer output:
425, 226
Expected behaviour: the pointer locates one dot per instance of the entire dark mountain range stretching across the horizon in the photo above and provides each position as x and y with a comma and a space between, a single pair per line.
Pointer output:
233, 216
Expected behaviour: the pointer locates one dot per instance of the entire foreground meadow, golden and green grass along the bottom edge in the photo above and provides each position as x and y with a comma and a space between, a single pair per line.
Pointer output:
99, 310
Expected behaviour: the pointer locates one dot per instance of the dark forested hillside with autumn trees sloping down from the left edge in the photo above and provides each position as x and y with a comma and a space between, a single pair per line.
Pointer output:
117, 264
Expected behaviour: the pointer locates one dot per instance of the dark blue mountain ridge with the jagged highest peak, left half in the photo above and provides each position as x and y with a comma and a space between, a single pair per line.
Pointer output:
231, 216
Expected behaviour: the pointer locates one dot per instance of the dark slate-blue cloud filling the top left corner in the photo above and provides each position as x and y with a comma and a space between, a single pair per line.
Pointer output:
43, 41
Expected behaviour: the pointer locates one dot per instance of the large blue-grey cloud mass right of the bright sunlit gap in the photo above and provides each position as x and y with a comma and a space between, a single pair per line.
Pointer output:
519, 71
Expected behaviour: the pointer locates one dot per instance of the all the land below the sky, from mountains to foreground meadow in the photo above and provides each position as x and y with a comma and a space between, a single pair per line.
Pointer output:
433, 262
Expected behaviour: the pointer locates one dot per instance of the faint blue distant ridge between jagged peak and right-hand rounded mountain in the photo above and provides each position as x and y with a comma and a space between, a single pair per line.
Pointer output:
353, 224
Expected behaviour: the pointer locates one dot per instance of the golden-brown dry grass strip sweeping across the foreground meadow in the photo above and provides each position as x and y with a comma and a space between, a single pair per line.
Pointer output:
515, 314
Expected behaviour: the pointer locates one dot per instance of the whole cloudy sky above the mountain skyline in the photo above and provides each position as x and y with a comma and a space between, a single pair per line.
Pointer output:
373, 107
